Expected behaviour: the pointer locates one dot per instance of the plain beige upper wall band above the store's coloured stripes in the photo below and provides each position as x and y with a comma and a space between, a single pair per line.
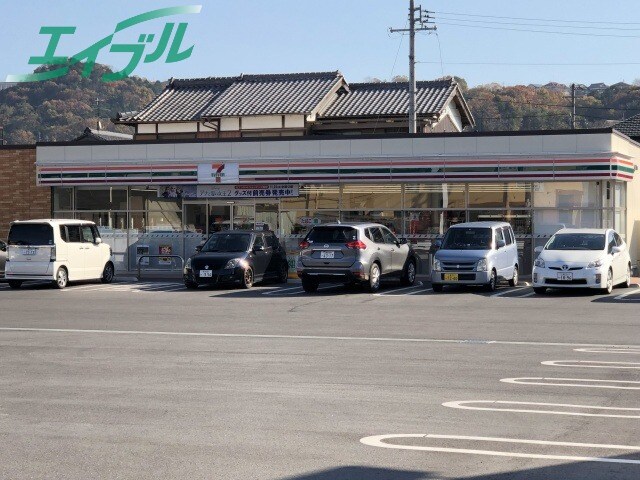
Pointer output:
526, 146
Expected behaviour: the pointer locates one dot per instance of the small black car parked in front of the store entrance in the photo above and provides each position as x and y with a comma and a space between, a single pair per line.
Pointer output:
237, 257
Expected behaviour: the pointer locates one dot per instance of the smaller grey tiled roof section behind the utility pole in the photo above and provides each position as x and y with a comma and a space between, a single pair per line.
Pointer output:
372, 99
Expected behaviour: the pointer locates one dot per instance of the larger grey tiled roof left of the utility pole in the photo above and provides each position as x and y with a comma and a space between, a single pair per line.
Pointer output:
194, 99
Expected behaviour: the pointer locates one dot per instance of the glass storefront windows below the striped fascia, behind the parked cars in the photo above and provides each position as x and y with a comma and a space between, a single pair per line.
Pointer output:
142, 219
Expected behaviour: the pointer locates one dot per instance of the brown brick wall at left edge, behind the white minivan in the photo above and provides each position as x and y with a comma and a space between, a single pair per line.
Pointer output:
20, 198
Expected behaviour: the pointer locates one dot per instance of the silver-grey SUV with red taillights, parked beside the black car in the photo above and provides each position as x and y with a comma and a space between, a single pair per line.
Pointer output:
354, 253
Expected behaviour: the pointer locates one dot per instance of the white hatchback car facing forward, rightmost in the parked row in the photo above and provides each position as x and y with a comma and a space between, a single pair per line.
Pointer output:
582, 258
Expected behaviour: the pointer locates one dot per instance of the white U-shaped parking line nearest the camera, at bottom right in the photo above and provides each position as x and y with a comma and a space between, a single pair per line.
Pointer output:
378, 441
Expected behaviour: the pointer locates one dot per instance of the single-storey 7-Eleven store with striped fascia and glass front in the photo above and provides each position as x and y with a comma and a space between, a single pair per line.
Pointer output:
166, 197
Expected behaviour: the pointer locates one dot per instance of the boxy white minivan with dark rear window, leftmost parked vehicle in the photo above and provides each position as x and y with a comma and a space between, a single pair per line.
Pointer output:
62, 251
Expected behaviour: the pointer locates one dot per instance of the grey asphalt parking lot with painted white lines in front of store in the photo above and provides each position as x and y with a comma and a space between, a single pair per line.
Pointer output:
149, 380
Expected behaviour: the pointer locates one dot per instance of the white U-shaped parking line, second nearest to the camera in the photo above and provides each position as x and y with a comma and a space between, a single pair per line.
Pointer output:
464, 405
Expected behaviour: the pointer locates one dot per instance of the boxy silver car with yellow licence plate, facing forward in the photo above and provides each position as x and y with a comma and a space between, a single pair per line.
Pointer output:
476, 253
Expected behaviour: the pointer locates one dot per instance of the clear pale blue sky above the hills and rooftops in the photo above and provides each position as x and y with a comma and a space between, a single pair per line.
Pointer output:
481, 41
